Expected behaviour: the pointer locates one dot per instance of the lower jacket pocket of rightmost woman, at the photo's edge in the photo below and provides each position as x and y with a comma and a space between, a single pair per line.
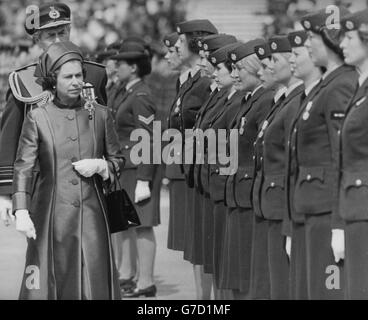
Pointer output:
353, 204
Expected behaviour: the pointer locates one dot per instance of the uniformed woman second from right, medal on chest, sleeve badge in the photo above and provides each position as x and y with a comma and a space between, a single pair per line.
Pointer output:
315, 139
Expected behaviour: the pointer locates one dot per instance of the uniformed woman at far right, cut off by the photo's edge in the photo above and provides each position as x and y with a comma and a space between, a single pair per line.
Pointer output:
353, 156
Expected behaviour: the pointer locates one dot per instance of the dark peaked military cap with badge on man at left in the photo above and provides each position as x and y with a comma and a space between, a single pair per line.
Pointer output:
47, 16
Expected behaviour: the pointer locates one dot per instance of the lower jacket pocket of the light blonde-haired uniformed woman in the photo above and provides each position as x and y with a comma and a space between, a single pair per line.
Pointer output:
243, 186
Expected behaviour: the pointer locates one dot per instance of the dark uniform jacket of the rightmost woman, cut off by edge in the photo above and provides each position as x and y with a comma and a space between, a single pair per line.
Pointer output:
353, 194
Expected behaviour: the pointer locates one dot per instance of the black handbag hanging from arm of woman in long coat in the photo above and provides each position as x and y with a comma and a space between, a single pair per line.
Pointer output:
120, 209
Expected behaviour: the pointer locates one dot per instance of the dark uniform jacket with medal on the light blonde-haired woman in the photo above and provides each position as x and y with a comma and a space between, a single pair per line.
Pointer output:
248, 121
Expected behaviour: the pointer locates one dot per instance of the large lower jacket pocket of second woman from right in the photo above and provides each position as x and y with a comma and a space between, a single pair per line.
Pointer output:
314, 190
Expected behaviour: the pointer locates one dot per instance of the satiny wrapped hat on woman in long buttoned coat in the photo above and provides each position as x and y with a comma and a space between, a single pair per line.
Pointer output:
56, 55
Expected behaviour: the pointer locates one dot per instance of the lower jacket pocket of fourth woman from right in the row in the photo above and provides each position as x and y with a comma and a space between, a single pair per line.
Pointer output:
273, 197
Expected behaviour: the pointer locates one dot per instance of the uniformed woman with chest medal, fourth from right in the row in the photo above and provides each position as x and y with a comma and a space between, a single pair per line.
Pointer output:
270, 145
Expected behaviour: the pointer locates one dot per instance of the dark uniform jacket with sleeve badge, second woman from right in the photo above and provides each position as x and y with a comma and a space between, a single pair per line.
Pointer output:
316, 143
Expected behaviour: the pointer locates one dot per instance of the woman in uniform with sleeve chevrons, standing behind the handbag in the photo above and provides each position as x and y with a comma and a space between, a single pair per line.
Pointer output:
137, 111
